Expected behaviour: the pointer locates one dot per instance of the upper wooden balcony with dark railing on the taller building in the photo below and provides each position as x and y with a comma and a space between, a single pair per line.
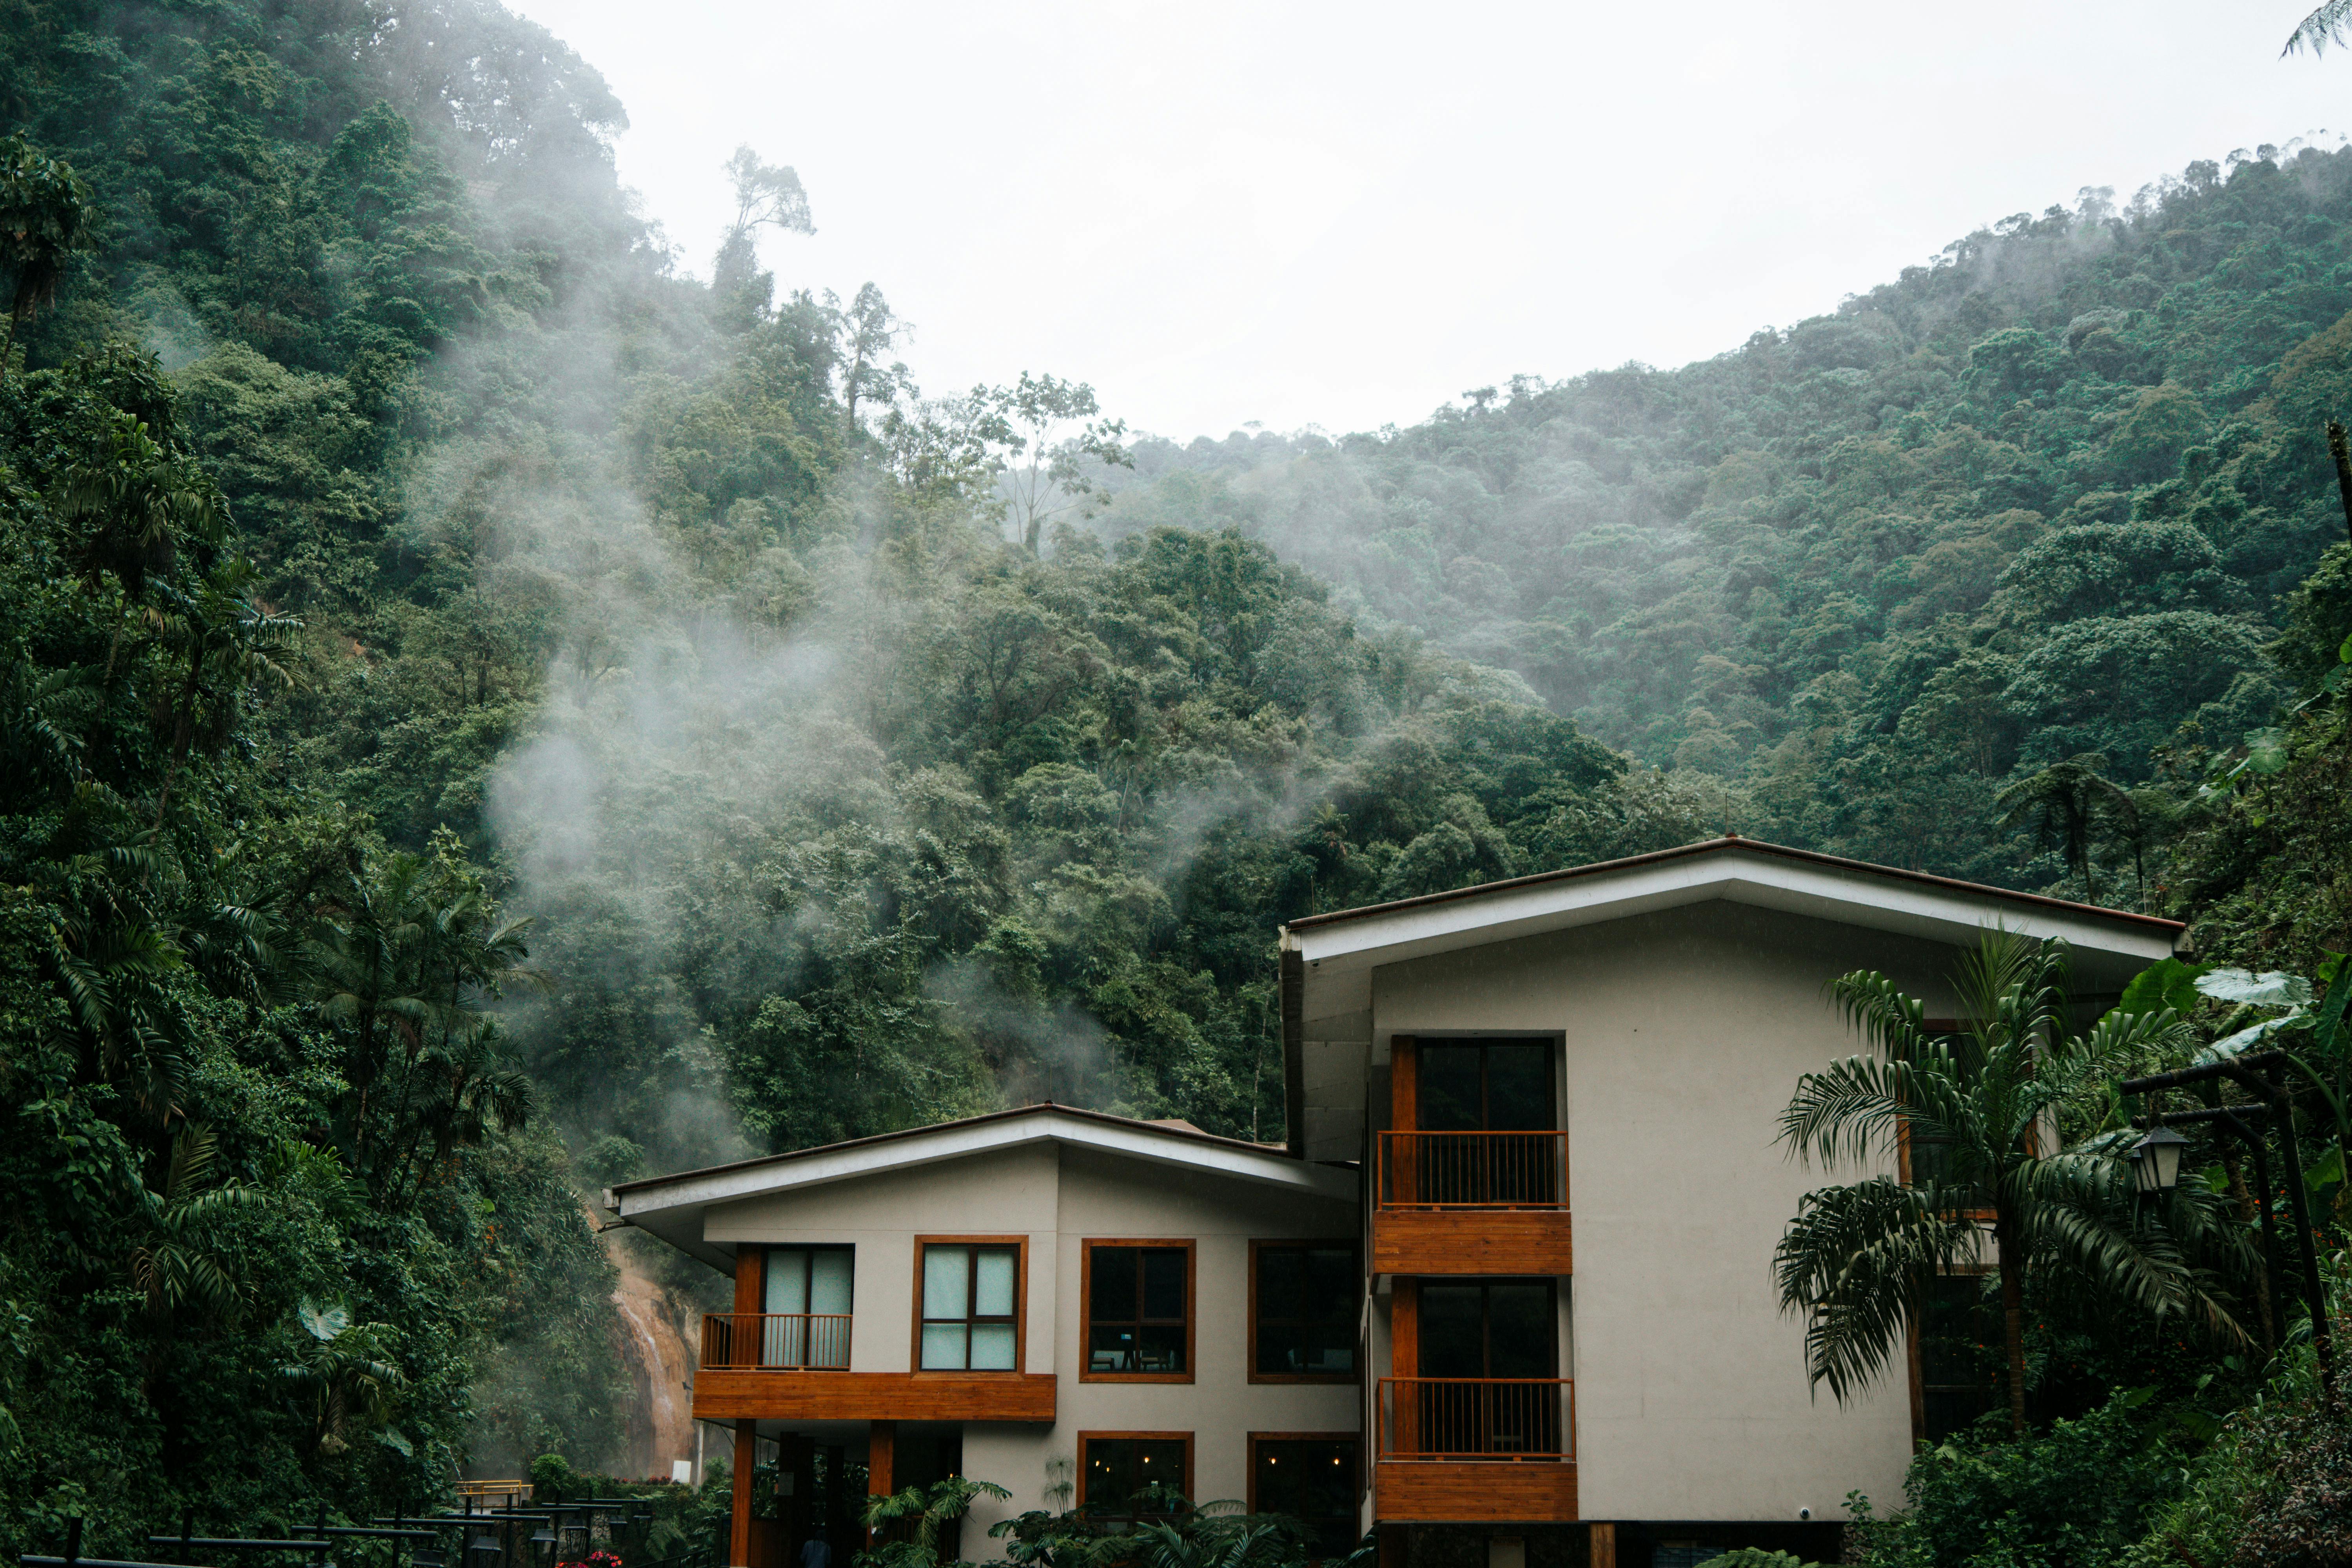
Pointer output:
1471, 1205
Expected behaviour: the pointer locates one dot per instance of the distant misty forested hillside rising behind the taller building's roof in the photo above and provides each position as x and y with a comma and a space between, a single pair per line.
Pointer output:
2036, 500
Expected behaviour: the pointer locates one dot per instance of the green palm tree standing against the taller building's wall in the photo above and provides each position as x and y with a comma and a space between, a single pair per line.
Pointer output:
1859, 1261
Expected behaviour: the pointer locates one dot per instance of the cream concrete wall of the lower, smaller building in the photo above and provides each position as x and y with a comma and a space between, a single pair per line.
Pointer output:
1060, 1198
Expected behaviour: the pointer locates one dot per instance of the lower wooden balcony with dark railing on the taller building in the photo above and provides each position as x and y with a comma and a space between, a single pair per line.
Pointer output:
1476, 1449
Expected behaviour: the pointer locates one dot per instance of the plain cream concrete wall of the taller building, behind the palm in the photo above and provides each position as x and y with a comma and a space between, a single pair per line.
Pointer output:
1683, 1038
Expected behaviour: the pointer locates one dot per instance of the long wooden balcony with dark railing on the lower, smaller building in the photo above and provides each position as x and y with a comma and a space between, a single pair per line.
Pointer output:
796, 1367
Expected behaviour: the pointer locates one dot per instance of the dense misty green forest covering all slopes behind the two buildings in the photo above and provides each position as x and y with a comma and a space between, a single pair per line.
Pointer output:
490, 713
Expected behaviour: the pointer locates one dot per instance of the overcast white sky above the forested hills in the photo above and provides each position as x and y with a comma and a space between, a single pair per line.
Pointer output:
1347, 215
